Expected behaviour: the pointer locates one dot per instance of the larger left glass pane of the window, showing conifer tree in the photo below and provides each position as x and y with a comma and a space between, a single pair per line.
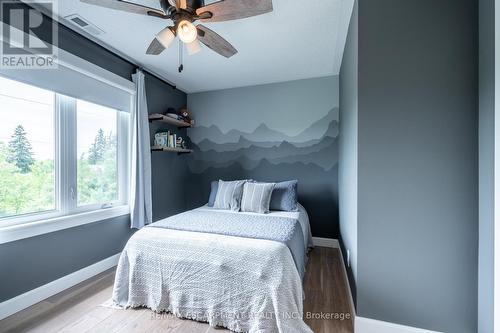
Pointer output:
27, 145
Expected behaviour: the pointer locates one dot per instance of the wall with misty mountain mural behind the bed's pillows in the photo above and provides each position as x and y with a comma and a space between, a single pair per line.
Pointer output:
270, 132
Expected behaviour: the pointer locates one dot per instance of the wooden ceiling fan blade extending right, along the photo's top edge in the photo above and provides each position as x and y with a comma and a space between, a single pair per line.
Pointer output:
226, 10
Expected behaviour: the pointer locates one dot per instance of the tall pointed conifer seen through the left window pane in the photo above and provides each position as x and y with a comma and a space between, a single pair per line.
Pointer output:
20, 151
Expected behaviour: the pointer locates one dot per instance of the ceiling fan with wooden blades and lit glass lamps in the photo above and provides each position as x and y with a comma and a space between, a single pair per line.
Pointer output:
184, 13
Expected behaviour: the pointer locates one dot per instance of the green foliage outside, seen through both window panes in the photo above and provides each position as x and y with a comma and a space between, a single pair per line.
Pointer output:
32, 190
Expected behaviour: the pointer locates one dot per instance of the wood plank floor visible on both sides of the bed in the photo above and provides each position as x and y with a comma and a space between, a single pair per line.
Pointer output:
77, 309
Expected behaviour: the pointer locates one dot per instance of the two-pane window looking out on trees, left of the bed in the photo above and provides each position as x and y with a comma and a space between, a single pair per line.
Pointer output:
58, 155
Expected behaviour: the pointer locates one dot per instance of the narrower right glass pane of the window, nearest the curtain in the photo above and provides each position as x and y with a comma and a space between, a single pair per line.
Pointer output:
97, 174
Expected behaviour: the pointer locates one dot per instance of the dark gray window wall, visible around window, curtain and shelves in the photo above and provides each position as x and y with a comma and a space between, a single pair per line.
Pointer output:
29, 263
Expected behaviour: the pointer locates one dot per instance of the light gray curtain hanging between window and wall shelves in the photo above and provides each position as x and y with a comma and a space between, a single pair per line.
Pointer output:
141, 210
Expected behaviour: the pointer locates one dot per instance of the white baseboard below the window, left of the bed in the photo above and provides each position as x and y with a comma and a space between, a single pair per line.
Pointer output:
18, 303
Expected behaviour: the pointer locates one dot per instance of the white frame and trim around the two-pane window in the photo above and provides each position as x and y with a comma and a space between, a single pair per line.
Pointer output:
67, 214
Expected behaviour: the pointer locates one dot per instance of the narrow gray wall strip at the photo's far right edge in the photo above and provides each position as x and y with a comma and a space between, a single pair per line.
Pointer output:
486, 164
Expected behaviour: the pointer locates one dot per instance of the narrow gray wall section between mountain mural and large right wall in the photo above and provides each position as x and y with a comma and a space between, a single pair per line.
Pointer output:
348, 150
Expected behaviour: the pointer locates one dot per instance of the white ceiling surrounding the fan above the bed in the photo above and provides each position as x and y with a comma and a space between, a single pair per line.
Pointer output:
298, 40
